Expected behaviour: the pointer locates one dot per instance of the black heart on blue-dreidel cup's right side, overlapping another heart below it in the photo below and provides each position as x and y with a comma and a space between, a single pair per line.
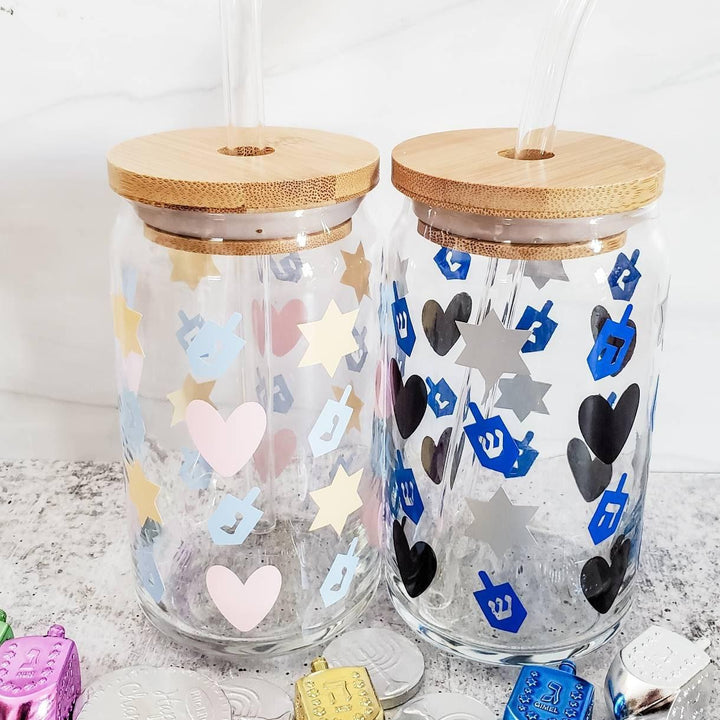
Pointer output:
606, 428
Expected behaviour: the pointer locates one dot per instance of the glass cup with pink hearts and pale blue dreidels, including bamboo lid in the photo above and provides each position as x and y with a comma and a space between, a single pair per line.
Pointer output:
246, 338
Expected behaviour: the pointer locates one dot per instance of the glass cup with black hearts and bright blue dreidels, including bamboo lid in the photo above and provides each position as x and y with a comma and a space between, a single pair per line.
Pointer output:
524, 303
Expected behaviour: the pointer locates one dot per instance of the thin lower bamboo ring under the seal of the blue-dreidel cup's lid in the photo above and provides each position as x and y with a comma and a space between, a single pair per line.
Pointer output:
522, 251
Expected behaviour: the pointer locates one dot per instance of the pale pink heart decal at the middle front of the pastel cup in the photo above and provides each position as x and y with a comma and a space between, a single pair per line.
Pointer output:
227, 445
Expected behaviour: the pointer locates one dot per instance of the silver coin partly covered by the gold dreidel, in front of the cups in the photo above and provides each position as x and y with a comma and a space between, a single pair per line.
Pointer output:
395, 664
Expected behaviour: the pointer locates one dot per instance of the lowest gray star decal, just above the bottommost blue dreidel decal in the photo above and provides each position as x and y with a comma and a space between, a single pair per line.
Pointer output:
499, 523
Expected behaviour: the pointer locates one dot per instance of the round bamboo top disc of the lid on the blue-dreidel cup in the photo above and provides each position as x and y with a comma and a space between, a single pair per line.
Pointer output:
474, 171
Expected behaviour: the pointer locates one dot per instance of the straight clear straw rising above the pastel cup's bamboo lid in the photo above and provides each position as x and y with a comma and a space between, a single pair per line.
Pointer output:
242, 73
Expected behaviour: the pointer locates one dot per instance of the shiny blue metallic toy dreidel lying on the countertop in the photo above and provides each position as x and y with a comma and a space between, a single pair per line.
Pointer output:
545, 693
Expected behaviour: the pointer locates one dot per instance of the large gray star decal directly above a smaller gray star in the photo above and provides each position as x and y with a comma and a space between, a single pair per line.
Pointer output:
492, 349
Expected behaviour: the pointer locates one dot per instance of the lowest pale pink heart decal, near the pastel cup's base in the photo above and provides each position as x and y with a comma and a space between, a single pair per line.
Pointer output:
244, 604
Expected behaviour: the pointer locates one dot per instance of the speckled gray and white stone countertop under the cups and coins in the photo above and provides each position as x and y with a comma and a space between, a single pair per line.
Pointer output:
66, 559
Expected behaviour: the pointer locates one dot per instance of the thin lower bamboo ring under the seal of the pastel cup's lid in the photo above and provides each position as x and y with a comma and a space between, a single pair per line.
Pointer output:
274, 246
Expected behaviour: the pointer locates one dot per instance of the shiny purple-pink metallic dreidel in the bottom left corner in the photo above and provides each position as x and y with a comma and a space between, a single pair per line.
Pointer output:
39, 677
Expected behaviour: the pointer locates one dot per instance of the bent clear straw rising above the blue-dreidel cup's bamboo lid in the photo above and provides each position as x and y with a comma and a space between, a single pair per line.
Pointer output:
536, 132
